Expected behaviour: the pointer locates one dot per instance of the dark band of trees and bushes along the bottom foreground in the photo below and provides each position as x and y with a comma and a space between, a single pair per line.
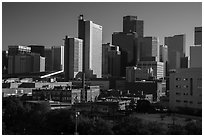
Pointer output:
20, 118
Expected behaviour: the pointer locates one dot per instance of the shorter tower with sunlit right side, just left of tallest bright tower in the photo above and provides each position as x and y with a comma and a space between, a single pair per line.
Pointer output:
73, 57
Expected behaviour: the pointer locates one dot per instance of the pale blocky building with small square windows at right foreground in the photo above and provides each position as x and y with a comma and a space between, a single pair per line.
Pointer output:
186, 89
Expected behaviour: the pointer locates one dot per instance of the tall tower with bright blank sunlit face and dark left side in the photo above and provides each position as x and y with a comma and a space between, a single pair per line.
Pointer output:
91, 34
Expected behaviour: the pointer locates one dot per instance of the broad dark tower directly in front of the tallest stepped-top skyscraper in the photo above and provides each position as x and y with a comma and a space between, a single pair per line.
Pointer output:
129, 47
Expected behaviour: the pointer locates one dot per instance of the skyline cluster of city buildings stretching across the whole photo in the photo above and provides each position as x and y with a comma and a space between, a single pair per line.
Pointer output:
133, 63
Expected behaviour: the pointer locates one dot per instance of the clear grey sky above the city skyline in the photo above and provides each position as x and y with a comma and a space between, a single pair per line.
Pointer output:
48, 23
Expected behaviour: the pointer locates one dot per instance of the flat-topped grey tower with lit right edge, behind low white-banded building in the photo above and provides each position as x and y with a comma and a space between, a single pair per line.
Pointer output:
150, 48
